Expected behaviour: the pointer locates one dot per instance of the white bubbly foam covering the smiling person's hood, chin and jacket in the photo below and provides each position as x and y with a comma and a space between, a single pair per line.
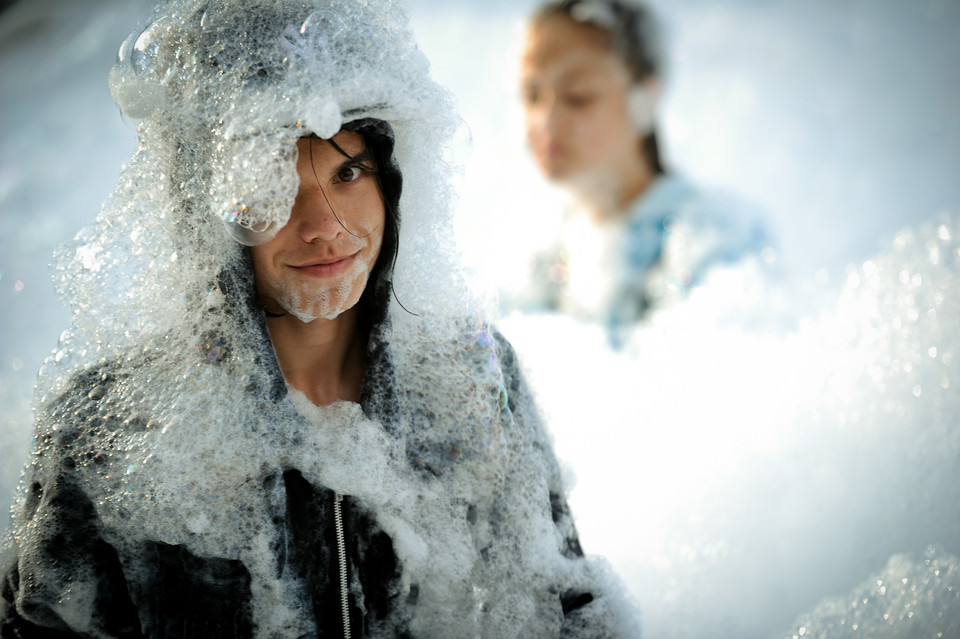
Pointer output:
159, 393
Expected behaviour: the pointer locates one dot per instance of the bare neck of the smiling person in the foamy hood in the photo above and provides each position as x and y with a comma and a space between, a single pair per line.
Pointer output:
324, 359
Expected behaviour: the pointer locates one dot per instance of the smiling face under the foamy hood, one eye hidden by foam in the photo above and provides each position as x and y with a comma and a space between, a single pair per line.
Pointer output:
318, 264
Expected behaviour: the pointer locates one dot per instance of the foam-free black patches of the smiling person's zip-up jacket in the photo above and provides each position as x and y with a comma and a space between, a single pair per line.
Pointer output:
156, 589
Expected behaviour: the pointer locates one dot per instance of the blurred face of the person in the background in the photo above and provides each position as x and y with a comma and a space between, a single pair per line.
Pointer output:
575, 101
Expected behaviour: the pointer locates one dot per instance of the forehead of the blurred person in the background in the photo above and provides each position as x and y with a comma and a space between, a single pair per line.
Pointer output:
559, 49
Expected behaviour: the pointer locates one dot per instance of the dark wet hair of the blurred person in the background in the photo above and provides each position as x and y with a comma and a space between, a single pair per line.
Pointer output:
634, 35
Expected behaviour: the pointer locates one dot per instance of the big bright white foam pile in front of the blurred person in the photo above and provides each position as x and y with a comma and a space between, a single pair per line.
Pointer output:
770, 446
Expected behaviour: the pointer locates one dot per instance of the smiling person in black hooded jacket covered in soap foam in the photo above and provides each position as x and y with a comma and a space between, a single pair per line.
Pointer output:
300, 427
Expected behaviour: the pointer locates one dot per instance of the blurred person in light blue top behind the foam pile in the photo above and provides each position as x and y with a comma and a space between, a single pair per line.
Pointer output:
638, 234
